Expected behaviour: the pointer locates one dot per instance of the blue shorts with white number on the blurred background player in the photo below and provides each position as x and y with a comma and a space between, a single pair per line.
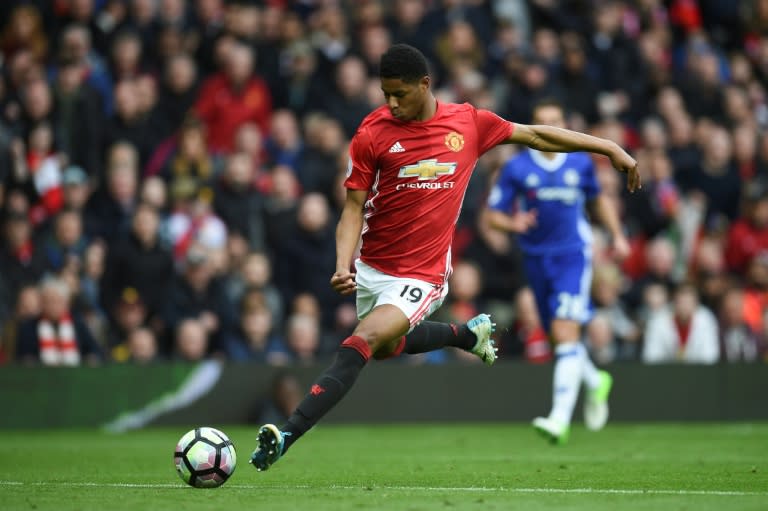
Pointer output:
561, 284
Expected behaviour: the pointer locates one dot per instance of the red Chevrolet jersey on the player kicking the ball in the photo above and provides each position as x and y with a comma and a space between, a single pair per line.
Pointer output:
416, 173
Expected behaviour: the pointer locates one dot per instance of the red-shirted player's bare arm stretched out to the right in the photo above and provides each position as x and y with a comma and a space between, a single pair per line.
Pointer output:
559, 140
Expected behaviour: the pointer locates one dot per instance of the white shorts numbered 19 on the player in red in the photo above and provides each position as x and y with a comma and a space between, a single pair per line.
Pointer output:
416, 298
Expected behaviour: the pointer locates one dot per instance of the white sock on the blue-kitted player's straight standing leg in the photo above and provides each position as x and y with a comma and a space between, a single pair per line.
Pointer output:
566, 381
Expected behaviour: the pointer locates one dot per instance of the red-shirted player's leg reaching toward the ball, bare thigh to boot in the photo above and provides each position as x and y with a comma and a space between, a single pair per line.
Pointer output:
384, 325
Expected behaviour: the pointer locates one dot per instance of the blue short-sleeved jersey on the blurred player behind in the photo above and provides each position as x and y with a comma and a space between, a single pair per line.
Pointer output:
557, 189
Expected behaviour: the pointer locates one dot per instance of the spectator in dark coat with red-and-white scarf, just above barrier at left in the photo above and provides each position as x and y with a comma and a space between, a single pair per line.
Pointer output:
56, 337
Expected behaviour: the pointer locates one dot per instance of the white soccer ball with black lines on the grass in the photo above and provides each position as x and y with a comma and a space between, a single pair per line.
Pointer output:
205, 458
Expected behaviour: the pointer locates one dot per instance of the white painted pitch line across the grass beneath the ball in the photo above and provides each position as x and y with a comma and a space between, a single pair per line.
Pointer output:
467, 489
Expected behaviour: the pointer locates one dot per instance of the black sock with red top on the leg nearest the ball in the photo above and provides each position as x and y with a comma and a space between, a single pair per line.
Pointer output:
328, 389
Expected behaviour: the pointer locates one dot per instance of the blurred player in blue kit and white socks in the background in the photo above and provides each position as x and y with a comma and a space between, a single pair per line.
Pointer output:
541, 194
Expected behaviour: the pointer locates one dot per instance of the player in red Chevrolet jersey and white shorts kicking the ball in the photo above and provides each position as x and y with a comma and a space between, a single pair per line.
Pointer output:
410, 163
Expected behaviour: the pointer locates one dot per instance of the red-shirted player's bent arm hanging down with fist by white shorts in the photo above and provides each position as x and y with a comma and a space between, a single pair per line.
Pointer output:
348, 232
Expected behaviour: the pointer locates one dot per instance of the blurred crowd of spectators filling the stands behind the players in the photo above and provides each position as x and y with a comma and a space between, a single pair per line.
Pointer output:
171, 171
